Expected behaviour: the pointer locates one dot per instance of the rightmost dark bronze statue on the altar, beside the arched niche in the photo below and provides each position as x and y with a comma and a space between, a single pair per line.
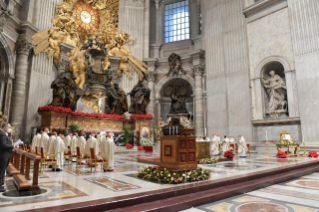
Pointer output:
140, 98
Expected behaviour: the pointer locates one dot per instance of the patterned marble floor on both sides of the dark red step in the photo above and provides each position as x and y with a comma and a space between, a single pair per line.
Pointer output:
75, 185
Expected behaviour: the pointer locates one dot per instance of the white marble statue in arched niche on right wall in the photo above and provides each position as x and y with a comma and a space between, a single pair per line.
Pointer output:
277, 91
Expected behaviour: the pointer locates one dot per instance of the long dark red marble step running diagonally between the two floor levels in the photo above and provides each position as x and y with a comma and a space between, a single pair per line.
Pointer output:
204, 197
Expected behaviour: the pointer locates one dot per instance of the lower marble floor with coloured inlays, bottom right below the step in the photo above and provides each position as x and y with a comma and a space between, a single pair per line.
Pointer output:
298, 195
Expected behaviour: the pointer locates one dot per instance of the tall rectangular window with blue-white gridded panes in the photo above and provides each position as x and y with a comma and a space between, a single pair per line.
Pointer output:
176, 21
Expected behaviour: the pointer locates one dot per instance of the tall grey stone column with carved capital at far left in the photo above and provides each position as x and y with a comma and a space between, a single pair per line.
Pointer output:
23, 47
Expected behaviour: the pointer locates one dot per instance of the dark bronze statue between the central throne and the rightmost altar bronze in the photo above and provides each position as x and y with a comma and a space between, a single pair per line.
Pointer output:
118, 104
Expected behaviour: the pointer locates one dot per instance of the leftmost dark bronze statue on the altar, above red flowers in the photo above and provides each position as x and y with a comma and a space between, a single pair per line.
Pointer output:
64, 90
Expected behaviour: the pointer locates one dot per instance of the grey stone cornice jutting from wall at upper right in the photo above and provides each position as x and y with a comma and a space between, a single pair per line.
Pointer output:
263, 8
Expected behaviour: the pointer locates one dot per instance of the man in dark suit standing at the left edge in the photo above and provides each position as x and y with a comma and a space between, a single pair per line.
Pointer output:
5, 151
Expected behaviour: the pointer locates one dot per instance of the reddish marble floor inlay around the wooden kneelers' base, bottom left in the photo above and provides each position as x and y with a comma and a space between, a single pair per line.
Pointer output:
56, 190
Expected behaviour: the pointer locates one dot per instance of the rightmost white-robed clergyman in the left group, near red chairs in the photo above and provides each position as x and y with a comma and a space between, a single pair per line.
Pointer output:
108, 150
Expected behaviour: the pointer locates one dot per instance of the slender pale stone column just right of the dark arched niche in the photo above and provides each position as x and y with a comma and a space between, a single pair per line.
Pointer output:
199, 107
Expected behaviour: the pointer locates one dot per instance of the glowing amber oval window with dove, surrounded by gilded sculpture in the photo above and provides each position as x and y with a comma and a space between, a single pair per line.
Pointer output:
87, 17
